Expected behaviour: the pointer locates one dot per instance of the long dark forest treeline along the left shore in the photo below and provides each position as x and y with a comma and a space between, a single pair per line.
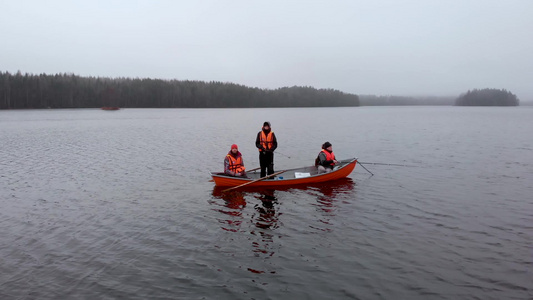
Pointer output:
19, 91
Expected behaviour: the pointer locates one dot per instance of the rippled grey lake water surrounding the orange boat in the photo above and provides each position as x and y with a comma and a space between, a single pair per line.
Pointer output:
119, 205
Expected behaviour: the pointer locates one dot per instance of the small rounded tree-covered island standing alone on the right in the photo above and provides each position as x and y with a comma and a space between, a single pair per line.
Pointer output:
487, 97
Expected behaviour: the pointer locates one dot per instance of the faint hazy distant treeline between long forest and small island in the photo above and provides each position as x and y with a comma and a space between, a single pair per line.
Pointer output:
370, 100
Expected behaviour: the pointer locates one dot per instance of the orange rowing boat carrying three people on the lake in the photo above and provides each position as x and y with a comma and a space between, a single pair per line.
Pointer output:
303, 175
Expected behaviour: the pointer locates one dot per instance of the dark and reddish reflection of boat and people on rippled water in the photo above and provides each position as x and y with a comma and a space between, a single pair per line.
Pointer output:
265, 214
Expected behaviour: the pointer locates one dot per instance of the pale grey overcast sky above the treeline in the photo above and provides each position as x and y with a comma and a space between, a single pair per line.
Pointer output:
423, 47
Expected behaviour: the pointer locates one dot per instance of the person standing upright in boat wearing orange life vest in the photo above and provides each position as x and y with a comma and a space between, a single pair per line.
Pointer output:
266, 143
